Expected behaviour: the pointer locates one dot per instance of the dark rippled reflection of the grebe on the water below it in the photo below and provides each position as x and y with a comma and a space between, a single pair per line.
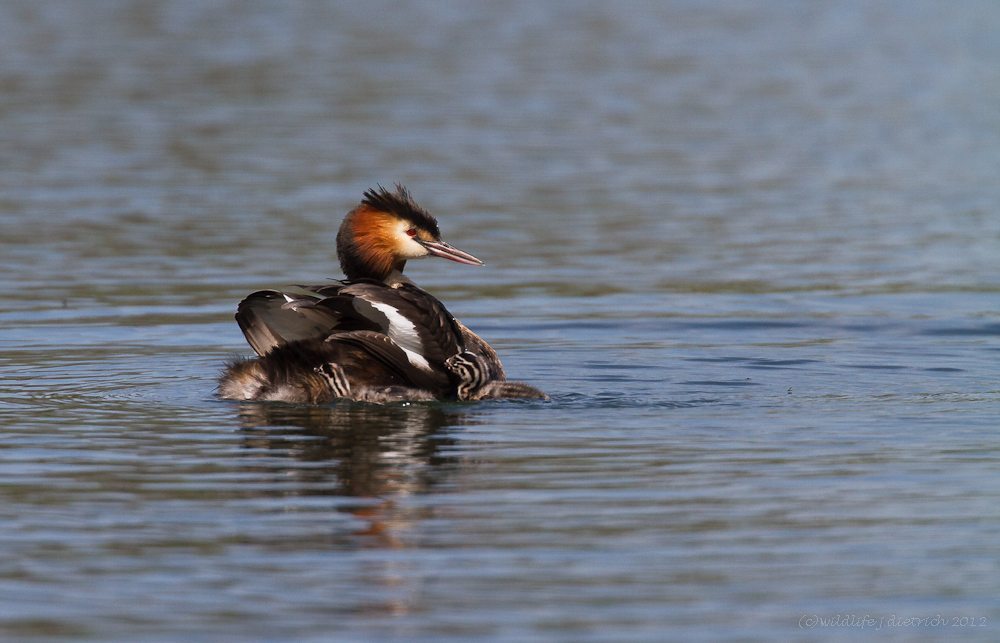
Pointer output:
384, 453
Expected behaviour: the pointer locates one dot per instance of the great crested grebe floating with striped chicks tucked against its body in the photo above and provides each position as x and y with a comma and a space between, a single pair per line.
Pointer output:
374, 337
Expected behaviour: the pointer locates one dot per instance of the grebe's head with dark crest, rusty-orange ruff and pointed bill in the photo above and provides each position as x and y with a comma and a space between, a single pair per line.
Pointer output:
384, 231
